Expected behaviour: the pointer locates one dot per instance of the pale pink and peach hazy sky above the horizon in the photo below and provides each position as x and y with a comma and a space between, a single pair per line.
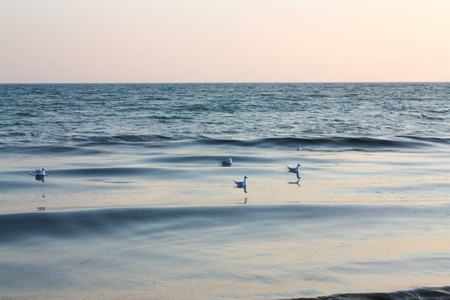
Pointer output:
157, 41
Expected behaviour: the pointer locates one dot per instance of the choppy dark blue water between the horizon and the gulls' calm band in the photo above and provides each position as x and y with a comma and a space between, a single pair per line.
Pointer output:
321, 116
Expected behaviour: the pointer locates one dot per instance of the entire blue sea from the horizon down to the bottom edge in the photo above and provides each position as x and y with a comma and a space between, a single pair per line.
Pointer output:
137, 204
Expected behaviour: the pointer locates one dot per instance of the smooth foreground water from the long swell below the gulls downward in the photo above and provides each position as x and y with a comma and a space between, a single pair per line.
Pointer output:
253, 251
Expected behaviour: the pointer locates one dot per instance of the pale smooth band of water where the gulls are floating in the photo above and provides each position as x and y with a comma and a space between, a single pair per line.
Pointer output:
182, 176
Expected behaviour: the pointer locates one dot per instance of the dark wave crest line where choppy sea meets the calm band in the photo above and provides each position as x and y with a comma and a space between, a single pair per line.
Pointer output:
82, 145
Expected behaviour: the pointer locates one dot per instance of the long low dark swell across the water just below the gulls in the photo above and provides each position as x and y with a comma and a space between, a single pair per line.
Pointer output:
76, 223
